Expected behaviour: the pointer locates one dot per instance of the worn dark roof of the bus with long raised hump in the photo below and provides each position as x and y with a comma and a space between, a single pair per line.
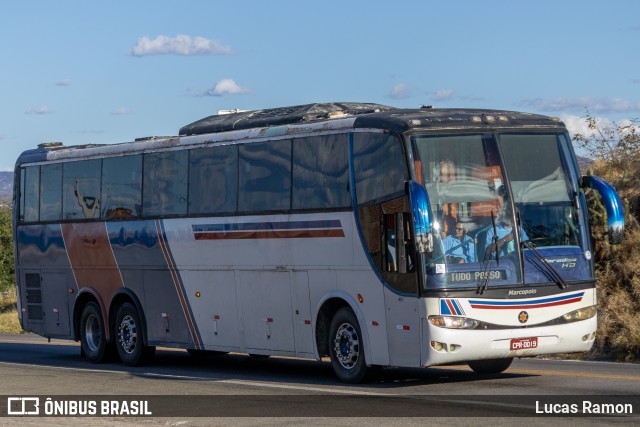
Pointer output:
302, 119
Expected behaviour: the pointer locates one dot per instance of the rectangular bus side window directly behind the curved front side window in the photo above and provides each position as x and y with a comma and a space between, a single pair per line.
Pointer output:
320, 172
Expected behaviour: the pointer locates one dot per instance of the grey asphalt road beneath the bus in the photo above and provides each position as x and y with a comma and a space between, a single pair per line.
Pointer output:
236, 389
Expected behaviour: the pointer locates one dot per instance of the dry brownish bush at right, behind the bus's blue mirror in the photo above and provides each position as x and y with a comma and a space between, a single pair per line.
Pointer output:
615, 149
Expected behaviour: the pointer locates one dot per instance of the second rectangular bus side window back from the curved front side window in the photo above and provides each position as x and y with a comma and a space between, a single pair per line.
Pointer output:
265, 176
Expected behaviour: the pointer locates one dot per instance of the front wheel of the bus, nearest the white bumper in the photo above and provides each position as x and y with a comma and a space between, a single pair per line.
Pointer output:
345, 347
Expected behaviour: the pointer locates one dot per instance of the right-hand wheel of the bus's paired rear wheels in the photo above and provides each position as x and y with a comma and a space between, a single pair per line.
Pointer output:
130, 337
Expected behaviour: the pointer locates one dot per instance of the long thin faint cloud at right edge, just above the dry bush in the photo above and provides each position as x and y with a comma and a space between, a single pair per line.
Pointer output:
595, 105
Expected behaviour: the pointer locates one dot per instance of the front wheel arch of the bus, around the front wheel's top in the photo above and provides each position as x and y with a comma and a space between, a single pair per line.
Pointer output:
325, 310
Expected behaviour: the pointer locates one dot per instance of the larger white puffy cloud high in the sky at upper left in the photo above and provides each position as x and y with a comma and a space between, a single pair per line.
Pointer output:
180, 45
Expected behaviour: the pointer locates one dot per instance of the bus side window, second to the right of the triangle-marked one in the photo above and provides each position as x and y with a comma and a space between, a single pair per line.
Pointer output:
165, 183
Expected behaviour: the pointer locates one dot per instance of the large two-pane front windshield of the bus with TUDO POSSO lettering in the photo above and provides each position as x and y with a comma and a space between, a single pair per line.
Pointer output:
501, 204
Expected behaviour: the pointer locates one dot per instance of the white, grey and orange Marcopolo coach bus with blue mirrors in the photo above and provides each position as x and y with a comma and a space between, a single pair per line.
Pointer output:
371, 235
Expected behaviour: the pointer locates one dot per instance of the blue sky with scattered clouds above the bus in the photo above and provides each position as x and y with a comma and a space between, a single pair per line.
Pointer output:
85, 72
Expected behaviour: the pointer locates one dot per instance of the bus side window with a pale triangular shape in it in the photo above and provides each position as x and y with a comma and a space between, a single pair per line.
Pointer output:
81, 189
